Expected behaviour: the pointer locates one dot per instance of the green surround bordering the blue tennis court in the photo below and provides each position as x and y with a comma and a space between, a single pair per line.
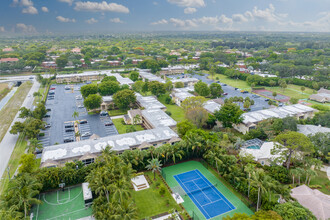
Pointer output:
169, 172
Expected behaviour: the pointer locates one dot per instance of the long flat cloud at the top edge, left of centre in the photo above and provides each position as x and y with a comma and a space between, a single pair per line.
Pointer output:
100, 7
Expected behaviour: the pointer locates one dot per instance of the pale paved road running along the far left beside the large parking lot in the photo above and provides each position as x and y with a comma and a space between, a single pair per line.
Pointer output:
8, 143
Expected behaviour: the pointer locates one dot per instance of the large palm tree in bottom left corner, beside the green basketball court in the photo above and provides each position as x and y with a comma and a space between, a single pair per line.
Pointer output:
22, 192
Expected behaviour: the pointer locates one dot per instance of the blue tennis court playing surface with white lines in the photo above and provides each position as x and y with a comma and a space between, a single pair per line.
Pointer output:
206, 196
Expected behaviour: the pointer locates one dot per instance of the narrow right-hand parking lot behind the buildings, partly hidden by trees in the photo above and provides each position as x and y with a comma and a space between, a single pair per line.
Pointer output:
259, 102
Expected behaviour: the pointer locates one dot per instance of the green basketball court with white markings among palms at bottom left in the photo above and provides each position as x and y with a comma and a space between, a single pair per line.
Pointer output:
61, 205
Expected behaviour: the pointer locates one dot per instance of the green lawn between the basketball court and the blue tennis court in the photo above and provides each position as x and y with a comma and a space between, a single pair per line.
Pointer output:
150, 203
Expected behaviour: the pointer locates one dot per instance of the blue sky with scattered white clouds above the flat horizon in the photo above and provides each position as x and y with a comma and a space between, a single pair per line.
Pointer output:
111, 16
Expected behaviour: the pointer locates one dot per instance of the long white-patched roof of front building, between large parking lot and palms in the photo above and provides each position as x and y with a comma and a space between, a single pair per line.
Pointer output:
118, 142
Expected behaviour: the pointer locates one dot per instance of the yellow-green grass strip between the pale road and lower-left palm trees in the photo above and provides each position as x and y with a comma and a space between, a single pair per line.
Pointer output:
13, 163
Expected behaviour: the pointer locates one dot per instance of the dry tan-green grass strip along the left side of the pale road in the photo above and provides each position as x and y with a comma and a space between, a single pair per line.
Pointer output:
7, 114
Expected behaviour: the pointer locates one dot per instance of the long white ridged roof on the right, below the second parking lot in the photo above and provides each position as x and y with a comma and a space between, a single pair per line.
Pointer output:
279, 112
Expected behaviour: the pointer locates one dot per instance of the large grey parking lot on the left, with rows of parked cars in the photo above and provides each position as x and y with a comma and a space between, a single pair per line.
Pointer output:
62, 102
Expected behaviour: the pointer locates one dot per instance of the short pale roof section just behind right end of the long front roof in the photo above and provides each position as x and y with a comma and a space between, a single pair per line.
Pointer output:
158, 118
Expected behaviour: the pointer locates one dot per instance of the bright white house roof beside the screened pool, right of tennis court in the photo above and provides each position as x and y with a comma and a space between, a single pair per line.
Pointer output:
263, 153
